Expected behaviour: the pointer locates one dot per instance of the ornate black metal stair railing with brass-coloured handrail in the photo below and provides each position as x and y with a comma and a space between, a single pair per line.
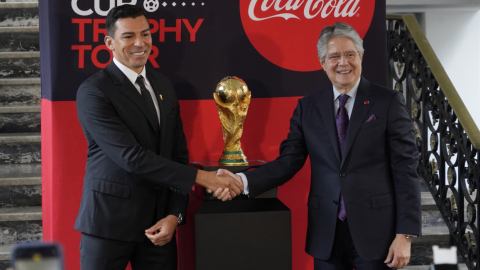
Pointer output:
447, 137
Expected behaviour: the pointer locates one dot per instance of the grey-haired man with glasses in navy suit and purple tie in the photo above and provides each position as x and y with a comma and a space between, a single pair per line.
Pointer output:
364, 200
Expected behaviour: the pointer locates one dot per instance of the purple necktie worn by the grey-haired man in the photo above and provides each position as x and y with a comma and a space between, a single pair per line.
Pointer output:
342, 126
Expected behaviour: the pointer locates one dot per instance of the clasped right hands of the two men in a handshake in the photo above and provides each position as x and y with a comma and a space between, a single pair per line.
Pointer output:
212, 181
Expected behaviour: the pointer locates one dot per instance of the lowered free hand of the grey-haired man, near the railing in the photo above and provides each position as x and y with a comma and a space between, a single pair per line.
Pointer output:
399, 252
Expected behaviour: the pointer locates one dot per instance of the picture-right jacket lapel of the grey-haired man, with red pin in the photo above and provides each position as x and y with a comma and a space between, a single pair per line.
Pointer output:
360, 110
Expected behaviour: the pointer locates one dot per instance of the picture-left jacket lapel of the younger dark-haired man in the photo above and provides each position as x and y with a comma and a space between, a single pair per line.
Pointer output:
129, 90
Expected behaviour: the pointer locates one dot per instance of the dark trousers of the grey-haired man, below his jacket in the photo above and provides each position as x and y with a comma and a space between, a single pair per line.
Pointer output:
344, 255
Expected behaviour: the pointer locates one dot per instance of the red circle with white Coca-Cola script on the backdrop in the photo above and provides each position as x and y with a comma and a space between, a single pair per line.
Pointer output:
285, 32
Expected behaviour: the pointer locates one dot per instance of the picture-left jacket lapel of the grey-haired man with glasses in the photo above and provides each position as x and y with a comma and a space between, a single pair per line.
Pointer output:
327, 111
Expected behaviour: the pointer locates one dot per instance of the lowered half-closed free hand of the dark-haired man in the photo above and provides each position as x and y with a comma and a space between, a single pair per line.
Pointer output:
162, 232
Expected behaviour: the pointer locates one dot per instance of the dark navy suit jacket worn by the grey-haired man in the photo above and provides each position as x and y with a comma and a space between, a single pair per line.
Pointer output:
376, 176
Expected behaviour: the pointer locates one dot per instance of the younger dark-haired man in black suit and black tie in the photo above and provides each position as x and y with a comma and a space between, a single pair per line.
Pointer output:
137, 182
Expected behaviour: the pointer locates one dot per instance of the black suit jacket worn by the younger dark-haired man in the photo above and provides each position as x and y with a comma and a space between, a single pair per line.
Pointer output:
135, 173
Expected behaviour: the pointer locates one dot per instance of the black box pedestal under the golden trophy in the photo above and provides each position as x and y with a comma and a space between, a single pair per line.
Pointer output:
245, 234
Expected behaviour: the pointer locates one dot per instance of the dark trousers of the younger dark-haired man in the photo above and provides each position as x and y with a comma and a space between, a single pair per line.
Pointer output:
105, 254
